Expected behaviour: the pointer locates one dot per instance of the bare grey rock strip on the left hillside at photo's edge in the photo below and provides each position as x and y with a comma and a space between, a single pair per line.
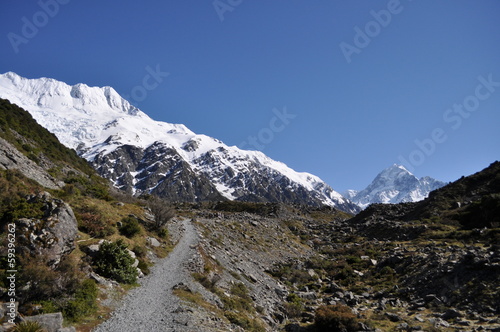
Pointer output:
11, 158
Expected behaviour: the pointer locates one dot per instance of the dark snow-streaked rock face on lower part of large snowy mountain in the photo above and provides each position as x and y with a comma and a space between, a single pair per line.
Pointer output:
161, 170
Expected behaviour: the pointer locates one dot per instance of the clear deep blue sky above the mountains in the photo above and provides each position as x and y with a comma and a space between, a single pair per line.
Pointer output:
230, 67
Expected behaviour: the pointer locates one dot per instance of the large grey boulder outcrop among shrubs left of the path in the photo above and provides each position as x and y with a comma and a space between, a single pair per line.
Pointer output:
53, 235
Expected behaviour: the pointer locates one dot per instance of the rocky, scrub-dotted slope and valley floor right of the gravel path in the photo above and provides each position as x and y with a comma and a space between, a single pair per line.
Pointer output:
420, 266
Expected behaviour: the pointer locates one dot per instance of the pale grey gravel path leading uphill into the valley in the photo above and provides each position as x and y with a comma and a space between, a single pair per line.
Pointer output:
152, 306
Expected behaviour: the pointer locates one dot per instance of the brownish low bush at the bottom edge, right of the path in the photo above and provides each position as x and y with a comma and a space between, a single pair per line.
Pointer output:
335, 318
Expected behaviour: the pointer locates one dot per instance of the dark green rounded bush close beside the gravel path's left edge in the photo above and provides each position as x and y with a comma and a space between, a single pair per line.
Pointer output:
113, 261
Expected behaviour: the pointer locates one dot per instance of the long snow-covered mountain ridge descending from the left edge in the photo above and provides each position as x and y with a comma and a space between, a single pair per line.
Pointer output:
141, 155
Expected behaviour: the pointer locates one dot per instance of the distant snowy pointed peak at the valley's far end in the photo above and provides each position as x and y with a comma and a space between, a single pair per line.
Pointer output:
394, 185
